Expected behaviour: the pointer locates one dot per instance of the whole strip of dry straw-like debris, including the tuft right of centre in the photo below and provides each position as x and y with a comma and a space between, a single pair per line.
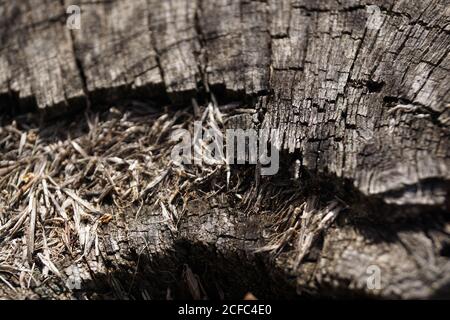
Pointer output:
59, 181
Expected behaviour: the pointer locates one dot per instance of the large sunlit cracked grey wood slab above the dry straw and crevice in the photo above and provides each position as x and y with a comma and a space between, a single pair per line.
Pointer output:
366, 104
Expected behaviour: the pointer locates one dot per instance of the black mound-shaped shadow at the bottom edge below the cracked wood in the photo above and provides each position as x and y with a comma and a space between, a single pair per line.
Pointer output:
218, 275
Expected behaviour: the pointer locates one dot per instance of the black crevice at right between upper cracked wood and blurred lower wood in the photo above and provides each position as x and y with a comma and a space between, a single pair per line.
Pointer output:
364, 208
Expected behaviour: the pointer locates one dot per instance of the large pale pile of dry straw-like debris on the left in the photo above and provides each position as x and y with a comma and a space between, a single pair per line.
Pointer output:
56, 178
